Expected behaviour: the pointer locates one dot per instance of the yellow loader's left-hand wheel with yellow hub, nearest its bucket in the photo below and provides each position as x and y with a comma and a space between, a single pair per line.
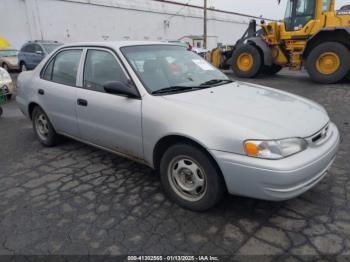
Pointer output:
247, 61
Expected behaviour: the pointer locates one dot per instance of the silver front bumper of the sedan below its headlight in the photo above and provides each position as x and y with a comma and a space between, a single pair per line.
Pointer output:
278, 179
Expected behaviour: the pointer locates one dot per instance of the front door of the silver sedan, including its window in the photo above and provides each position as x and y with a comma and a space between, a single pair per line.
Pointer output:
108, 120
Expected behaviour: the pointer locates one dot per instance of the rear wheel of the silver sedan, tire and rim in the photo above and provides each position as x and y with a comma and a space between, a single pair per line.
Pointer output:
43, 128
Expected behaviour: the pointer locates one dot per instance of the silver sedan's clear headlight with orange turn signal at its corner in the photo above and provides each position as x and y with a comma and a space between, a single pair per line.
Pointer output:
274, 149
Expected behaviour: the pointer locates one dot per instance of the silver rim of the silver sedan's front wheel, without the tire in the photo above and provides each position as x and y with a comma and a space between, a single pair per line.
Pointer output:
187, 178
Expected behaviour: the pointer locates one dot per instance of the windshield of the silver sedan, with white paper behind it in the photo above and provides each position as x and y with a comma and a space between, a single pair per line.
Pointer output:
165, 66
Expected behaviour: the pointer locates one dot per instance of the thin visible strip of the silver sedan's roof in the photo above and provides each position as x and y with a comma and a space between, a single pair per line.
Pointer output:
116, 44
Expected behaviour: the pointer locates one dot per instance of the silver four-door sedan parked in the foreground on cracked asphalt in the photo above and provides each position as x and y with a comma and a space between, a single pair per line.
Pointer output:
168, 108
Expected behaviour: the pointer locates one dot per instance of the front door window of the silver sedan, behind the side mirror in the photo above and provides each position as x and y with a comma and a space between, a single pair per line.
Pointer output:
101, 67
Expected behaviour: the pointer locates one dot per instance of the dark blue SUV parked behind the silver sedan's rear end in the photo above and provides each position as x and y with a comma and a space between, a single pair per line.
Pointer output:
33, 52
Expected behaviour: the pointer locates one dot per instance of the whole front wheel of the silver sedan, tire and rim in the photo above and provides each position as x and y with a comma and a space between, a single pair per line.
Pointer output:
208, 182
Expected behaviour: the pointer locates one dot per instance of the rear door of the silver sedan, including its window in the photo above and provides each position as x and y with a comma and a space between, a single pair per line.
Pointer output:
57, 90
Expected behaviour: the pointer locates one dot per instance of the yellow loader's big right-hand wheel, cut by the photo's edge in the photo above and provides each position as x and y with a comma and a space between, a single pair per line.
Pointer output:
339, 57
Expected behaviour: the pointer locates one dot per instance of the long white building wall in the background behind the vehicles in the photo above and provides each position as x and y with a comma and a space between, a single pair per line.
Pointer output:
95, 20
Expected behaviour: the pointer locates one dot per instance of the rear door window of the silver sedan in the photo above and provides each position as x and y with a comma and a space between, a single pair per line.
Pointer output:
63, 68
